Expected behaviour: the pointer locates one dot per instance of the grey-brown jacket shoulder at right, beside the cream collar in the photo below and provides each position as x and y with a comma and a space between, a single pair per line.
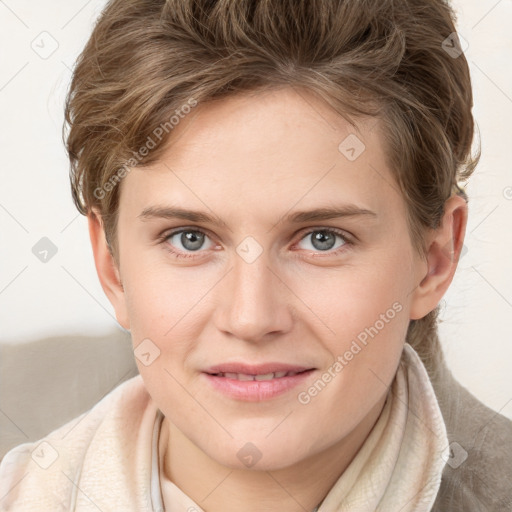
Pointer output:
478, 474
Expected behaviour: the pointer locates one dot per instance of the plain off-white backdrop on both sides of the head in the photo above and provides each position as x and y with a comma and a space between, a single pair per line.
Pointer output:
64, 297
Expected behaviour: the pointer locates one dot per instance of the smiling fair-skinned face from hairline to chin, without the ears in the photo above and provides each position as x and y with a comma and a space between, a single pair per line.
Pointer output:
263, 279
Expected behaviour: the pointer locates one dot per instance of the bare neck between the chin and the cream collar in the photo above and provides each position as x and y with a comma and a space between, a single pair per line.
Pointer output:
297, 488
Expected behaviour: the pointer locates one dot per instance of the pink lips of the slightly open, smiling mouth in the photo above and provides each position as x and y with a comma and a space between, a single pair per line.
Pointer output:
256, 383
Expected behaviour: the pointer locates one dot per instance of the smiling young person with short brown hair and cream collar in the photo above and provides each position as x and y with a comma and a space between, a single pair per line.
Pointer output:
275, 211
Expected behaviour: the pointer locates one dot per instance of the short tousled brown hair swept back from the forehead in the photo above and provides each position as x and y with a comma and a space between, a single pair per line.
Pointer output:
147, 61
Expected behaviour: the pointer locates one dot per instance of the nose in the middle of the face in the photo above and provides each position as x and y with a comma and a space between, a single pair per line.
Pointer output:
254, 304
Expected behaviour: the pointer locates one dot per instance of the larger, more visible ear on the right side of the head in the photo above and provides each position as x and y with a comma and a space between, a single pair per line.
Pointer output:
444, 248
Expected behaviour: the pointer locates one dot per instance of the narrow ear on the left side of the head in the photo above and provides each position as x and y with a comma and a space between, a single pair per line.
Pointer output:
106, 267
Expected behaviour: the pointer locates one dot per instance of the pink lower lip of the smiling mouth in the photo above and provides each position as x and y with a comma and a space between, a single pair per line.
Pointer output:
256, 390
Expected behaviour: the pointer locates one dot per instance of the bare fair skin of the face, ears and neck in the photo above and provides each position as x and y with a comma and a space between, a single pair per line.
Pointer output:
251, 160
